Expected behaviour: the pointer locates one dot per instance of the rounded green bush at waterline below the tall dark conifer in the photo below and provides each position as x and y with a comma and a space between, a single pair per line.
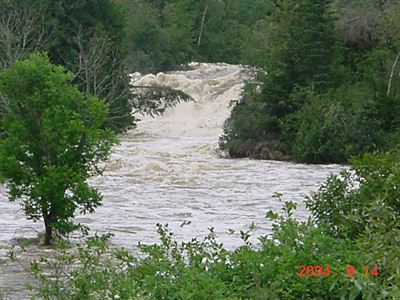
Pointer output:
334, 126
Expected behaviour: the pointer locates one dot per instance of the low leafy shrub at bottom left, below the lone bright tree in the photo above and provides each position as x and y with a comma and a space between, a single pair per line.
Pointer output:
94, 272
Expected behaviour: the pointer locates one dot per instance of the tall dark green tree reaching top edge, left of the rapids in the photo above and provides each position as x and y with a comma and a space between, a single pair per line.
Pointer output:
89, 40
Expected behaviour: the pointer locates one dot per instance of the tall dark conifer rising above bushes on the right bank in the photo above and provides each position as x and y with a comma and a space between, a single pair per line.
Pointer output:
302, 53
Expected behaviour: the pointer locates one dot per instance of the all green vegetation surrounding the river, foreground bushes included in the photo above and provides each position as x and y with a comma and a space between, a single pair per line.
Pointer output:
327, 90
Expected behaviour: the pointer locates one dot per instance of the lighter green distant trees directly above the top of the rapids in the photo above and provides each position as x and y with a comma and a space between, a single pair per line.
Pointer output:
165, 33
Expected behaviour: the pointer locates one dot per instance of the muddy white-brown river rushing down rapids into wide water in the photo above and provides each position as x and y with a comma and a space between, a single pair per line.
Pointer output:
168, 170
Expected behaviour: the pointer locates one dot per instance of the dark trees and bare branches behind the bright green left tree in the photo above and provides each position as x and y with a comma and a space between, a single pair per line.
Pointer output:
86, 37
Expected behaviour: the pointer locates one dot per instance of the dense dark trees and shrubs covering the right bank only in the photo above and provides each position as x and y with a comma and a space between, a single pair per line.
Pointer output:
331, 89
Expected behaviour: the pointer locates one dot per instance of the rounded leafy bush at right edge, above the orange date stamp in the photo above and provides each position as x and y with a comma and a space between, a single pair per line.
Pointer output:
348, 202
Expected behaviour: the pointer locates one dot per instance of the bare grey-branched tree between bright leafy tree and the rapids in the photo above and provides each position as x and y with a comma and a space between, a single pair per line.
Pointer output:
99, 72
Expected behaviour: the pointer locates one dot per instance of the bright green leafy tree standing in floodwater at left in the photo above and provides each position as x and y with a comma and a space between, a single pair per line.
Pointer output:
52, 143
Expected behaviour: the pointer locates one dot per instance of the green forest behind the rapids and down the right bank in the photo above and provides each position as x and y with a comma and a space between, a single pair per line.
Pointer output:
331, 86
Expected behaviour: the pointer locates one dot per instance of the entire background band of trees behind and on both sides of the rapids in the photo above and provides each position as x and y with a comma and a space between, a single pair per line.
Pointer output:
329, 89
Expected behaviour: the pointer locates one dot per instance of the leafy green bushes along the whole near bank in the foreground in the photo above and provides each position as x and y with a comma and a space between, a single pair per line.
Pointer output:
323, 257
